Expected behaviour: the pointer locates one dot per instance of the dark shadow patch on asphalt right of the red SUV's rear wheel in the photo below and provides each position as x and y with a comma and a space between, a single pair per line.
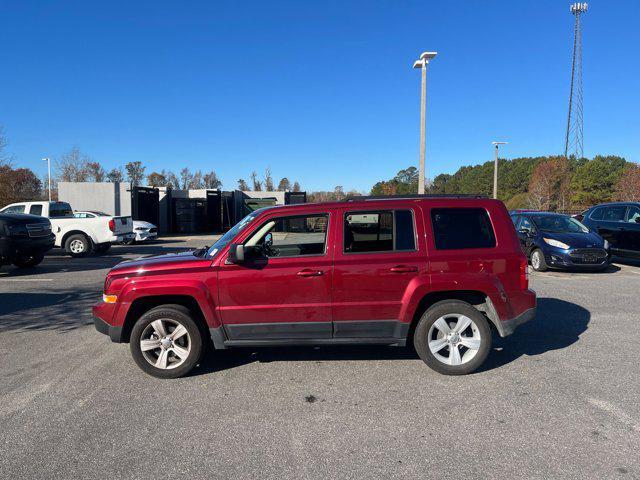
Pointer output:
558, 324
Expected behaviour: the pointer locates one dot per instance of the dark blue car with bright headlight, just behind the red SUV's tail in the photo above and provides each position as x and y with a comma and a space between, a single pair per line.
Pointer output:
552, 240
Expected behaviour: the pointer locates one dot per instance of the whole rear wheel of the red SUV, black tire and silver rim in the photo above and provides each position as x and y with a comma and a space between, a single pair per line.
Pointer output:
453, 338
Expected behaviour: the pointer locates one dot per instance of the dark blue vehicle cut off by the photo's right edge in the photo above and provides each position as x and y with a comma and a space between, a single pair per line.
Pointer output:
619, 224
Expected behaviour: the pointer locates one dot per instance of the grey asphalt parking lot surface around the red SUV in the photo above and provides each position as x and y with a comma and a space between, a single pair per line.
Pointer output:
559, 399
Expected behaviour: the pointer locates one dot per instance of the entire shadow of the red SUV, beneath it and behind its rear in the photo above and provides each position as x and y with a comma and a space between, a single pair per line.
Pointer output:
558, 324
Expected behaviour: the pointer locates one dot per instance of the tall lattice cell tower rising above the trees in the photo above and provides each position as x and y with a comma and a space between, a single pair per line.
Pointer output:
574, 142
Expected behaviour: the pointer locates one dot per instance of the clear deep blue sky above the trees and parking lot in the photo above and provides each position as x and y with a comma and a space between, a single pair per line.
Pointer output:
321, 92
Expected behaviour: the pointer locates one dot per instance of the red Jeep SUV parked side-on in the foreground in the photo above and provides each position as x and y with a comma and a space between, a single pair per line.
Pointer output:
437, 272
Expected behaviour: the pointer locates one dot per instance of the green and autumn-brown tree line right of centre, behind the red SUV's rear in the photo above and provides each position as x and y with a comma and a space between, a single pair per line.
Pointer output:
542, 183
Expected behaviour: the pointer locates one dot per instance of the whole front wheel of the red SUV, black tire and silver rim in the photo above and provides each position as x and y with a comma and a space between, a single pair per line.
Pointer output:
166, 342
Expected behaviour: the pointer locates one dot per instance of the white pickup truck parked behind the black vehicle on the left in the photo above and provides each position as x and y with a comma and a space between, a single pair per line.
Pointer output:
78, 236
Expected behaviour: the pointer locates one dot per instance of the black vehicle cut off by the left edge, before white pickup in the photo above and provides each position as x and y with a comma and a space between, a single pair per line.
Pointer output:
24, 239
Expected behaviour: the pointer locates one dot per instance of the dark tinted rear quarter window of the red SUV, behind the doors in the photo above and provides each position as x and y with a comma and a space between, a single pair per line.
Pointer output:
462, 228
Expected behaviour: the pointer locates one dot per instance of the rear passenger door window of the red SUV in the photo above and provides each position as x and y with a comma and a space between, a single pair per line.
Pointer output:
379, 231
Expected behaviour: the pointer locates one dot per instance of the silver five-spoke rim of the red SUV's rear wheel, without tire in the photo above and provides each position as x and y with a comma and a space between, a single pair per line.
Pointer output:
454, 339
